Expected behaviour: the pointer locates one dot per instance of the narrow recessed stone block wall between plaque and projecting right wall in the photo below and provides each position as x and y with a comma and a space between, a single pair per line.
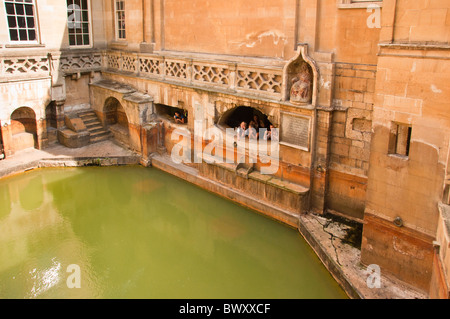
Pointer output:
351, 130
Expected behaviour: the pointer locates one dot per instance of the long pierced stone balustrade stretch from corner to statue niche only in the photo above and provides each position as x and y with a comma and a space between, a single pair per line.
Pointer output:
226, 76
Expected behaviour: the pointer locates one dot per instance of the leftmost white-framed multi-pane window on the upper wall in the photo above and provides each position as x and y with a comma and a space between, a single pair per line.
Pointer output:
21, 18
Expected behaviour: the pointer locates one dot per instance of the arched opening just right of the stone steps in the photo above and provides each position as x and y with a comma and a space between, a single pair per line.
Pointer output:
116, 120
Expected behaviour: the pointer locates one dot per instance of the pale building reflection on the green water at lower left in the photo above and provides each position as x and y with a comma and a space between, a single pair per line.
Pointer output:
37, 244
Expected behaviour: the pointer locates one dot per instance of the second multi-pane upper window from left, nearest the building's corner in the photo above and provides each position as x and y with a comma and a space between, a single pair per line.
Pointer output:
78, 23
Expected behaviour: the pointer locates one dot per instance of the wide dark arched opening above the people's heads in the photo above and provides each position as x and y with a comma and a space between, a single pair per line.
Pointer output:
234, 117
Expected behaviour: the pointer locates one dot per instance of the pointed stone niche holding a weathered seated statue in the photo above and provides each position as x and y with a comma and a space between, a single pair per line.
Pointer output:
300, 76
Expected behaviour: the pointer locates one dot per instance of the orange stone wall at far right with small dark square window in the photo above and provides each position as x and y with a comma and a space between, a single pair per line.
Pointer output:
404, 189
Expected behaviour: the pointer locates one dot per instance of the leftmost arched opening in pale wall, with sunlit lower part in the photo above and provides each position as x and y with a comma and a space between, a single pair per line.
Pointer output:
24, 129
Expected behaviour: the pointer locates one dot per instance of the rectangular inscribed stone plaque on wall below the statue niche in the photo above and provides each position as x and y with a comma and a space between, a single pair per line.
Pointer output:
294, 130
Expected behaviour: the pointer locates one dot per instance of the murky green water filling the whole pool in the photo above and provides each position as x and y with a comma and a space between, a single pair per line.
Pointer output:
135, 232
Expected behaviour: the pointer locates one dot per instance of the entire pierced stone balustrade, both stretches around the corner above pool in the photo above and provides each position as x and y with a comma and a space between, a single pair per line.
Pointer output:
230, 77
